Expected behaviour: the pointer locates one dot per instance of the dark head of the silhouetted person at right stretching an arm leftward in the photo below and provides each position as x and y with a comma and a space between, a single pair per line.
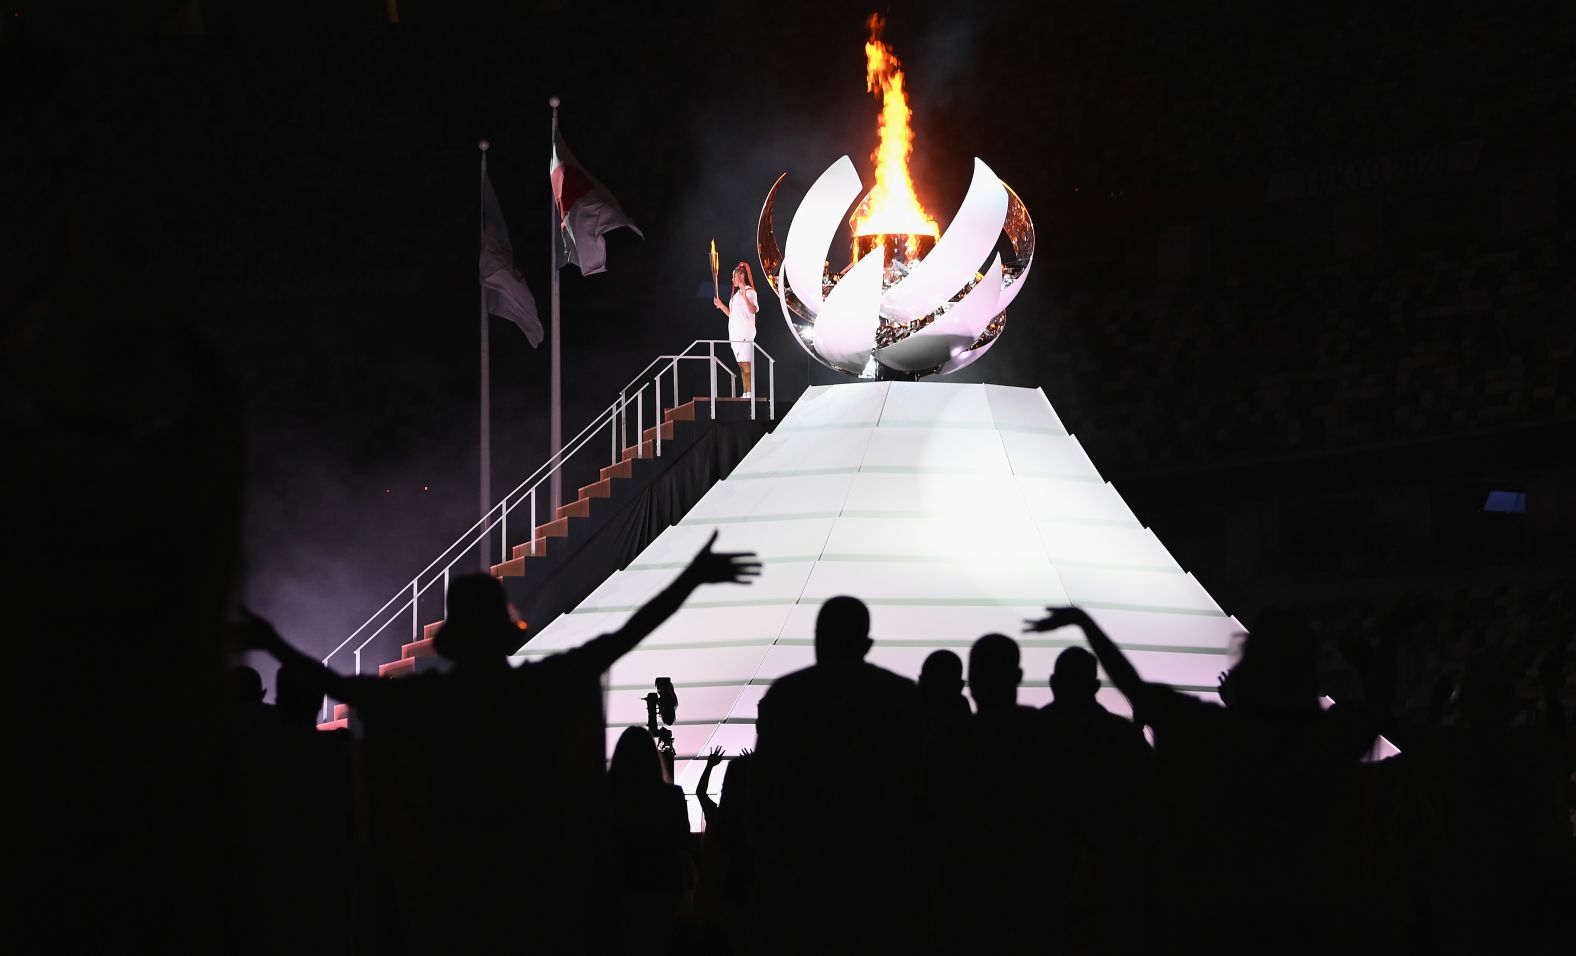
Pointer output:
1277, 670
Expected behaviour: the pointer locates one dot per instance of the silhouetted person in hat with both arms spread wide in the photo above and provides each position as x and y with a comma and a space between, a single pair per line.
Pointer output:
458, 760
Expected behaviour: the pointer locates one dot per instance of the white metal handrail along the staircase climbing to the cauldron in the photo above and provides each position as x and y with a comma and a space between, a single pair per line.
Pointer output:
617, 420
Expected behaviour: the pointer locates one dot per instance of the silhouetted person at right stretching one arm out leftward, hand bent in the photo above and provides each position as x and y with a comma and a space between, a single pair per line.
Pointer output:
1257, 799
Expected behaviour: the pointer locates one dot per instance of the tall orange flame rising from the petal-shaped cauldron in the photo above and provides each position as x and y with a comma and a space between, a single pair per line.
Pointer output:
891, 209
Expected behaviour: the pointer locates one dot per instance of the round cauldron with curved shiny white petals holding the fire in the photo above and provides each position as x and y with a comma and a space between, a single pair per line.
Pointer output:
909, 305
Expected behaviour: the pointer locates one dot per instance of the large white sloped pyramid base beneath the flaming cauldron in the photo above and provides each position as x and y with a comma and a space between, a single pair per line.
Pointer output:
953, 511
